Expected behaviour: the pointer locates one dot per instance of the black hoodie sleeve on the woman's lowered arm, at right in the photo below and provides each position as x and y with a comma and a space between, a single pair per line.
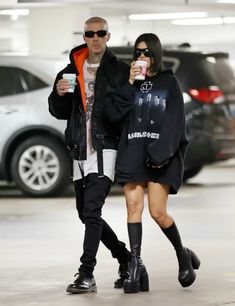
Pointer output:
172, 127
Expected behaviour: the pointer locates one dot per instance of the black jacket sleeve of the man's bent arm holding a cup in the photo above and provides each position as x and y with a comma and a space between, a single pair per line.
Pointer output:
60, 106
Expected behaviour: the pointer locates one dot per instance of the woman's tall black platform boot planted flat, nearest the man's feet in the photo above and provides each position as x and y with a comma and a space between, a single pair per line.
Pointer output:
137, 275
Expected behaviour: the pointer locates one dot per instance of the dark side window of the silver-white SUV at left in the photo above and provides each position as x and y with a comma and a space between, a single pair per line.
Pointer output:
16, 80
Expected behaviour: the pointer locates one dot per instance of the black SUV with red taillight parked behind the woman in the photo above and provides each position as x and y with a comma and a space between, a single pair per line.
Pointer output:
208, 85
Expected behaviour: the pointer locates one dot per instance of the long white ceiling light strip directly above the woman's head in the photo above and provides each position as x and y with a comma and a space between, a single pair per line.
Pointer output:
167, 16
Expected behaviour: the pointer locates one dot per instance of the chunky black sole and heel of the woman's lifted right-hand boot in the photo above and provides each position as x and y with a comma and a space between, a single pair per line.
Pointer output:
193, 265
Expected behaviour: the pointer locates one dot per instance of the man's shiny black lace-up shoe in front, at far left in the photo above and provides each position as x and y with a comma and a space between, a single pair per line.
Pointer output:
84, 283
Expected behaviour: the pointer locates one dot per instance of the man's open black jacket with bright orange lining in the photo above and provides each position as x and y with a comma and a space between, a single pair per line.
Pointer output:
111, 73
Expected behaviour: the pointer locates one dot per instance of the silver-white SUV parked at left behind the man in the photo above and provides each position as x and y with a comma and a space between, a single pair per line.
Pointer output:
32, 150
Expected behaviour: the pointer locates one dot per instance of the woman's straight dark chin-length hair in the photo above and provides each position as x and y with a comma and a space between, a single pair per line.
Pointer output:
154, 45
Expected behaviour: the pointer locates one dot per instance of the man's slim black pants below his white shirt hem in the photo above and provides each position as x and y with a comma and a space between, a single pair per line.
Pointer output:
91, 193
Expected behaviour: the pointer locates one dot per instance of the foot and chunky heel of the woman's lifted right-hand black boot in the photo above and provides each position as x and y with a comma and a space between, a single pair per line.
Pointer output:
188, 262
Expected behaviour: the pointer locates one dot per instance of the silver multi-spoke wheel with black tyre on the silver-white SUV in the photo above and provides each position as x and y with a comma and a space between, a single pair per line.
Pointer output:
41, 166
